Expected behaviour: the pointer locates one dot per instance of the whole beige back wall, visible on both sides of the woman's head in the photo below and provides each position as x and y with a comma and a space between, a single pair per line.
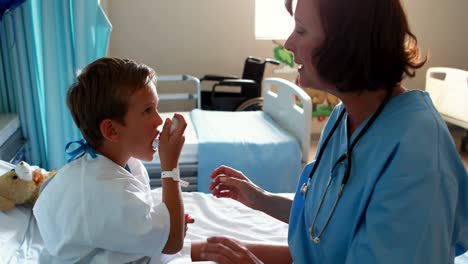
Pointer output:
215, 36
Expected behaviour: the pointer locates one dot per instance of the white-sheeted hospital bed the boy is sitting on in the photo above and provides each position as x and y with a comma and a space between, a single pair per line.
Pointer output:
21, 242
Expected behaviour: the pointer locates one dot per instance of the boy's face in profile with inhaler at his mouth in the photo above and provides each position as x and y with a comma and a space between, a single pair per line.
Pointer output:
141, 123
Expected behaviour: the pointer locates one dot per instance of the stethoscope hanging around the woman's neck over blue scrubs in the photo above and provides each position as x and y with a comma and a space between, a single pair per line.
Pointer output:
346, 156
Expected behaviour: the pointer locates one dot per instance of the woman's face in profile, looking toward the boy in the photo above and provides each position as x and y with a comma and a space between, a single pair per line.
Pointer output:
306, 37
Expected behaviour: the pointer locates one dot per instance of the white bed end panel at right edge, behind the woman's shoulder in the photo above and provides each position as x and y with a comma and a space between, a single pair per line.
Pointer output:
448, 89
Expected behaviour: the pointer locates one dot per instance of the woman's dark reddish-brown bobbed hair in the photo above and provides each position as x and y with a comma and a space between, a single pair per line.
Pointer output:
368, 44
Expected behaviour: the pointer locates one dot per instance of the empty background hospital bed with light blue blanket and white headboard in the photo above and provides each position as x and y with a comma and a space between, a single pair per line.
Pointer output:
270, 146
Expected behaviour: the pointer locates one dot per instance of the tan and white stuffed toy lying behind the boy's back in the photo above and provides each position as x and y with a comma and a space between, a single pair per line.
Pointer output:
21, 185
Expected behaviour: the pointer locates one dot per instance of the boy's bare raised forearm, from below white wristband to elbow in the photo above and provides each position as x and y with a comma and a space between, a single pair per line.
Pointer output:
172, 197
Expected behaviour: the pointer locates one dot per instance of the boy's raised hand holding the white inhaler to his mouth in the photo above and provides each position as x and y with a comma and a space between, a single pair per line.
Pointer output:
170, 145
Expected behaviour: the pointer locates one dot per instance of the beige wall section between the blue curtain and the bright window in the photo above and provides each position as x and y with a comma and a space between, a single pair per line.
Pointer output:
188, 37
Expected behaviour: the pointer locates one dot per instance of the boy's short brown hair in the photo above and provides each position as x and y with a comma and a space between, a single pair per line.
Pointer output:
102, 91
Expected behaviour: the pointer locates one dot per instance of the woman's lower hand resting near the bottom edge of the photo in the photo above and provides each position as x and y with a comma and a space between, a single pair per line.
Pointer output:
227, 250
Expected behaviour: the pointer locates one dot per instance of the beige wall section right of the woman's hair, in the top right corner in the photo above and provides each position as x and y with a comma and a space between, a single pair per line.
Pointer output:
442, 31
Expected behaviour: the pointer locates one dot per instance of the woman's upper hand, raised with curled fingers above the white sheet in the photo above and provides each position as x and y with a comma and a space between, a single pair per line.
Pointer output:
231, 183
